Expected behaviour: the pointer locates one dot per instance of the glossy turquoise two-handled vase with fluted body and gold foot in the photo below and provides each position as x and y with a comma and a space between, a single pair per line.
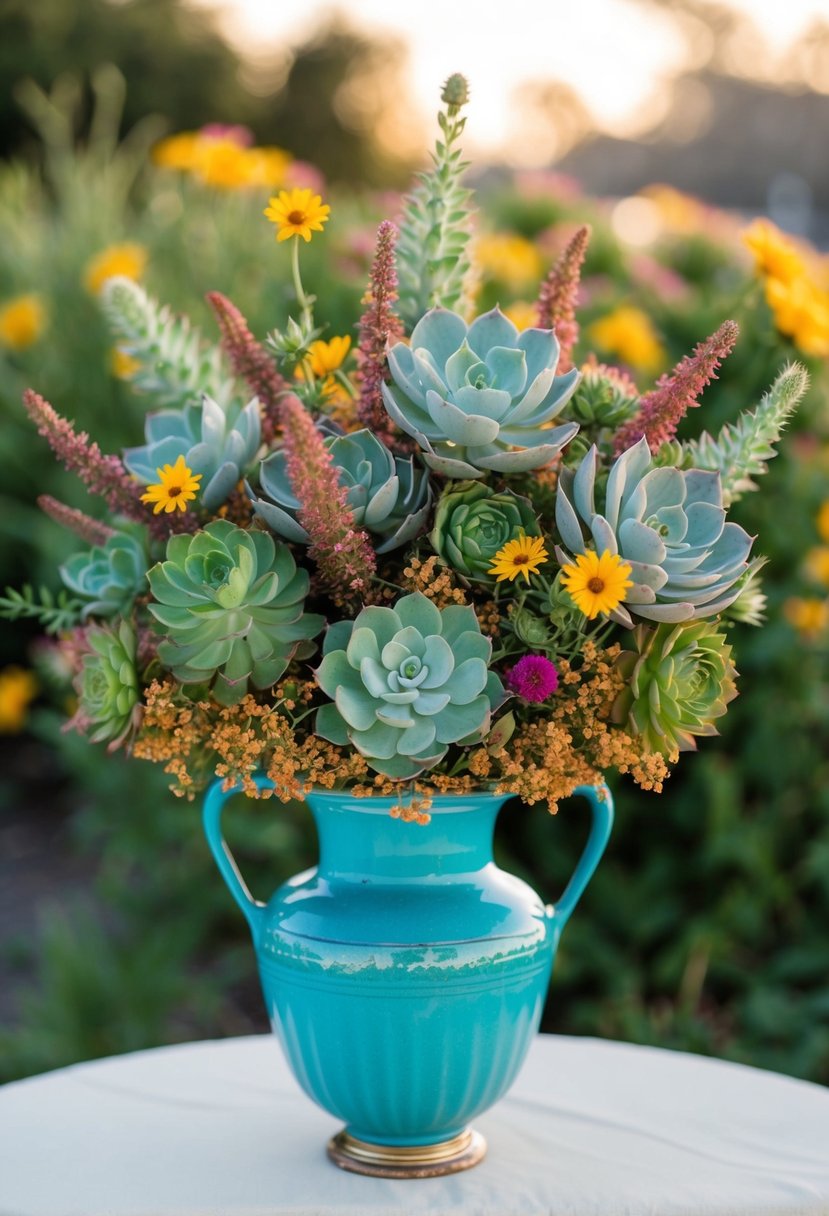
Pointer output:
405, 976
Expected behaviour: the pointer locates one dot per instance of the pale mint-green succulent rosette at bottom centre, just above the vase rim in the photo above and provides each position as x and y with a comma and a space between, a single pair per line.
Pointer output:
407, 683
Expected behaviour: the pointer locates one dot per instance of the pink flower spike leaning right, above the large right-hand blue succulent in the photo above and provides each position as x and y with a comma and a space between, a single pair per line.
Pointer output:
663, 409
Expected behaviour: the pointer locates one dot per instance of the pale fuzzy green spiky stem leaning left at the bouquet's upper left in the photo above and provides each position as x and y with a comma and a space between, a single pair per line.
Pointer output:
176, 368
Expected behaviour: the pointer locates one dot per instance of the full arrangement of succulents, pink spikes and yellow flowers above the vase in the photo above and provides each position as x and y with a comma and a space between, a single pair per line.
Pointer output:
443, 560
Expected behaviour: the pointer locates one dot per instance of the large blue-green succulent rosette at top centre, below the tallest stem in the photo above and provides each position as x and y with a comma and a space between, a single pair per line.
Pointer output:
480, 398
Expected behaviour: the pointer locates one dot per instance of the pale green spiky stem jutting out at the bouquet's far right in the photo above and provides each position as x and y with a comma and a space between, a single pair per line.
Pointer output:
742, 449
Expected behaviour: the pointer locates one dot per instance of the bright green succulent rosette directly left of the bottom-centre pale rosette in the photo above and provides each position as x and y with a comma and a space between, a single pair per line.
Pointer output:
230, 604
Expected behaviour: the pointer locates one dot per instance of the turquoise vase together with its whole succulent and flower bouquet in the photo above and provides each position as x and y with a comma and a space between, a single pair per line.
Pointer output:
407, 582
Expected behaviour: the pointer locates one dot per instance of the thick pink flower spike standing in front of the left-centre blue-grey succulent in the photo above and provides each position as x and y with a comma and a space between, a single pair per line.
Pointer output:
342, 551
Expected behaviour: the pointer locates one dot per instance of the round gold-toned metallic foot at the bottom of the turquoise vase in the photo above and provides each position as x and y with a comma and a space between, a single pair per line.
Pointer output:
408, 1162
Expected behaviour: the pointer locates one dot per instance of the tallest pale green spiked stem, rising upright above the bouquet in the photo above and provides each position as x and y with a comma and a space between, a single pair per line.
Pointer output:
433, 261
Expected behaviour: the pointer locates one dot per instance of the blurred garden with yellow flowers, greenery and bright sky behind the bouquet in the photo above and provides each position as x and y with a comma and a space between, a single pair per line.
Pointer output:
144, 138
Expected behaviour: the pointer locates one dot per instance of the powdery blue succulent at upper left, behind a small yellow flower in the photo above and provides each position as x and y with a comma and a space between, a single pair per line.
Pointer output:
215, 443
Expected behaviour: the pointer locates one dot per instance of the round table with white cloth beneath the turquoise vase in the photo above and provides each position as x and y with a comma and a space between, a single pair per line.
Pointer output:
222, 1129
